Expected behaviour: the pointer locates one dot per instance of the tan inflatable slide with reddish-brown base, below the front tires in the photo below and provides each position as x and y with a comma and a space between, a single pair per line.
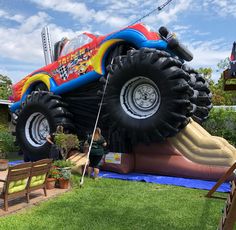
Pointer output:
193, 153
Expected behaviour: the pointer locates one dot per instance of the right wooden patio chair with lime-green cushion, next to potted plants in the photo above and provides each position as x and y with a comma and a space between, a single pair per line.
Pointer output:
39, 175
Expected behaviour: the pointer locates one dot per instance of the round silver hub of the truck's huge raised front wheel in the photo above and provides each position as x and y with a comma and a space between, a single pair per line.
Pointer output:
140, 97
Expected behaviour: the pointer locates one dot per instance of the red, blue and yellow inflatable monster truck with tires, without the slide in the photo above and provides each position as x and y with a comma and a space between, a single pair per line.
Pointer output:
150, 95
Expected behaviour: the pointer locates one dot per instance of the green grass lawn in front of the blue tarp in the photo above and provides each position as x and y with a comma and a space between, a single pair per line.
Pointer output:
115, 204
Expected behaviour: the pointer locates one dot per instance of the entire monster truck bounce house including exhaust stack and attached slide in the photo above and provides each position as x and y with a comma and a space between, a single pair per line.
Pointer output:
152, 103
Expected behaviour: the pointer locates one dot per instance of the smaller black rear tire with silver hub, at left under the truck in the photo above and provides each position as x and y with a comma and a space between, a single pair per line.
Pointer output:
39, 115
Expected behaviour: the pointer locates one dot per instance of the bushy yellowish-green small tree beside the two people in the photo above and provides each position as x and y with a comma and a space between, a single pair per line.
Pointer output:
66, 142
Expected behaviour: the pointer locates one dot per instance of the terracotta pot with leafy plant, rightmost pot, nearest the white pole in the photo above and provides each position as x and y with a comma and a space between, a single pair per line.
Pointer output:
64, 168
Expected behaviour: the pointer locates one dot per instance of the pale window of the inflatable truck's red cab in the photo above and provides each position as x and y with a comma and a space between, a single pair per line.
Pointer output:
75, 43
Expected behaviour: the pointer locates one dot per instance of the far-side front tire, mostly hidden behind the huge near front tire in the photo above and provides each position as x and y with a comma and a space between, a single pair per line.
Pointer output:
202, 95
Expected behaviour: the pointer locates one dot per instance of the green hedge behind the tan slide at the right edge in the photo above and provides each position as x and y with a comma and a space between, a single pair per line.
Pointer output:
222, 123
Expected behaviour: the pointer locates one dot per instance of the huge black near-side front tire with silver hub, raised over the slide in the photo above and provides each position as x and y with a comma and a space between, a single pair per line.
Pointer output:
160, 111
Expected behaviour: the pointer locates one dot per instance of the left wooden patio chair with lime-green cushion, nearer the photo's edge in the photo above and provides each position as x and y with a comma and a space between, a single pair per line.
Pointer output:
16, 183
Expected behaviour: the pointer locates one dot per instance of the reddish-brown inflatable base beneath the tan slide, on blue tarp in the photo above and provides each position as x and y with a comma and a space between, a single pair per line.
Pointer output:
154, 159
